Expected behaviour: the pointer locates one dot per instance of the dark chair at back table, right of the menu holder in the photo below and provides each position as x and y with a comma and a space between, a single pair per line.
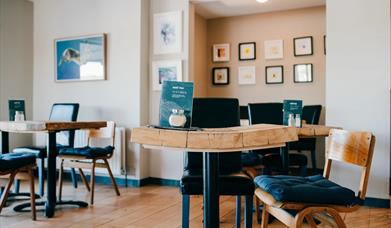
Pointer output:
311, 114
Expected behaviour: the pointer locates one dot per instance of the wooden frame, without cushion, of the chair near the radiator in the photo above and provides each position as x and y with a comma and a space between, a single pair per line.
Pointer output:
80, 162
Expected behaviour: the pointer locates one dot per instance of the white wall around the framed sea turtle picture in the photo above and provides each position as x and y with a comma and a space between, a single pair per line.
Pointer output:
122, 97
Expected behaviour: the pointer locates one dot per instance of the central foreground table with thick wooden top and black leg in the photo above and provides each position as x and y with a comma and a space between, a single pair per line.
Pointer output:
211, 142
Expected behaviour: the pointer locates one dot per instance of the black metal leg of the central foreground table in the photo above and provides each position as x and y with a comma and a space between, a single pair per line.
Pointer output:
211, 190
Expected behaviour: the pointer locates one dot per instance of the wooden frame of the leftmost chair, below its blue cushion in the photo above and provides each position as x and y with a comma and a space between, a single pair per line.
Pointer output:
24, 173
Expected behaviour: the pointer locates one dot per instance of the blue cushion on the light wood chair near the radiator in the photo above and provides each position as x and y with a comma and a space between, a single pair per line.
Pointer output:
88, 152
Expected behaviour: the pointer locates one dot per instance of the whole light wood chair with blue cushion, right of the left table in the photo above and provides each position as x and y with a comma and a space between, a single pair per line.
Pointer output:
87, 157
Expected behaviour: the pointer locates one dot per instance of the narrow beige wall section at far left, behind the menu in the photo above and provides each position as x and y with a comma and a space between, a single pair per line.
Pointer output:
16, 59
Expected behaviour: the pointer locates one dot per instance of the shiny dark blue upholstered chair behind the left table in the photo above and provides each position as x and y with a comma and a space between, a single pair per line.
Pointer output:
59, 112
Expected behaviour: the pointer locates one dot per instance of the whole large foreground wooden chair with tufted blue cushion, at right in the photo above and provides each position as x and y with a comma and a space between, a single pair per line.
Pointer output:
295, 199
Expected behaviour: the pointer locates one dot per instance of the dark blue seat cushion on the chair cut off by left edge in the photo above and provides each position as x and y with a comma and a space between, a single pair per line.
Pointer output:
12, 161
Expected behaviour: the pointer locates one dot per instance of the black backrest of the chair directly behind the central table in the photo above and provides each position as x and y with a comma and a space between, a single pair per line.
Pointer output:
215, 113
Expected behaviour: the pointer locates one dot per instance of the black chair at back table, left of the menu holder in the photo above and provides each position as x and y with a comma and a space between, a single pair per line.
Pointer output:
271, 113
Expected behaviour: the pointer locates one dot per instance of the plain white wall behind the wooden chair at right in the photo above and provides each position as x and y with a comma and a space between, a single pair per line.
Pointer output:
358, 81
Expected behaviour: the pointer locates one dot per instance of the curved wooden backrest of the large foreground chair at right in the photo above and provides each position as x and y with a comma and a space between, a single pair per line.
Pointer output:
353, 148
